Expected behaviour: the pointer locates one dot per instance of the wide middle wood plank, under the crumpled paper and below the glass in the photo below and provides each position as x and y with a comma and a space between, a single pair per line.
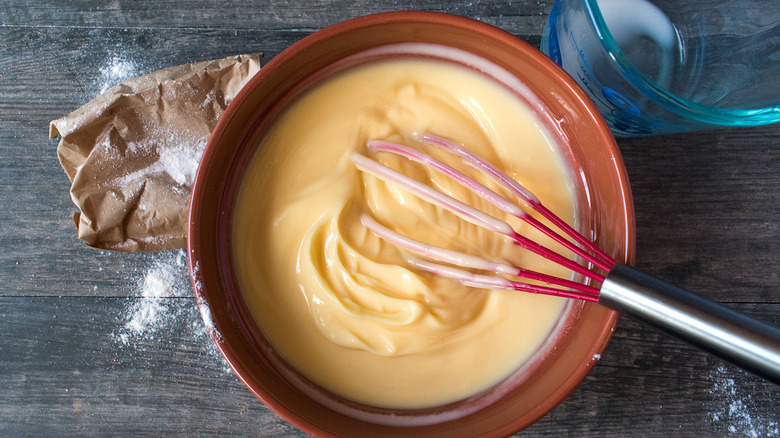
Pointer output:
706, 202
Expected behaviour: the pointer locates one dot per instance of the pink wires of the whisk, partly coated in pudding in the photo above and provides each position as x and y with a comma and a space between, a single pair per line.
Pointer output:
581, 246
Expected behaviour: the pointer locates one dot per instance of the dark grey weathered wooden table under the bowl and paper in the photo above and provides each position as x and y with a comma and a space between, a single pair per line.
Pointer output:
73, 363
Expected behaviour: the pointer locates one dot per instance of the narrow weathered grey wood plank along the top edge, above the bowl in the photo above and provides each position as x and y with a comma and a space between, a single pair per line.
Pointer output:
524, 17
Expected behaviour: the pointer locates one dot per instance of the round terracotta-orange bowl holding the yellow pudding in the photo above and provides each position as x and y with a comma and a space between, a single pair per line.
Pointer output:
605, 211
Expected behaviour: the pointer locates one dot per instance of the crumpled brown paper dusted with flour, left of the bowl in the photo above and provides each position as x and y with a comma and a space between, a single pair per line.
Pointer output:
132, 153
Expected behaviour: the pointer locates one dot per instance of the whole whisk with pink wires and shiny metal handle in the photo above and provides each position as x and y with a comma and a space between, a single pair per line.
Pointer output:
730, 335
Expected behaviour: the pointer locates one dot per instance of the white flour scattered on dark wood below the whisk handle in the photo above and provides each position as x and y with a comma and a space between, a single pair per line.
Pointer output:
739, 410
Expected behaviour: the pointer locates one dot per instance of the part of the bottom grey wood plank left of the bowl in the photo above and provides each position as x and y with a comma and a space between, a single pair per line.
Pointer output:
67, 372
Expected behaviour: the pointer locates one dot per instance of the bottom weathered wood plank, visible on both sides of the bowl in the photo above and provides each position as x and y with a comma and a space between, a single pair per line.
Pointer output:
66, 370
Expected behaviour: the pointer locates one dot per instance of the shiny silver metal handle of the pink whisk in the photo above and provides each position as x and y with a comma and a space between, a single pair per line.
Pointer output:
728, 334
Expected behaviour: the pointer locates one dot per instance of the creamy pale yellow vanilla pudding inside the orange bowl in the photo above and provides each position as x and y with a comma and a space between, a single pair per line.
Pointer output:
342, 306
